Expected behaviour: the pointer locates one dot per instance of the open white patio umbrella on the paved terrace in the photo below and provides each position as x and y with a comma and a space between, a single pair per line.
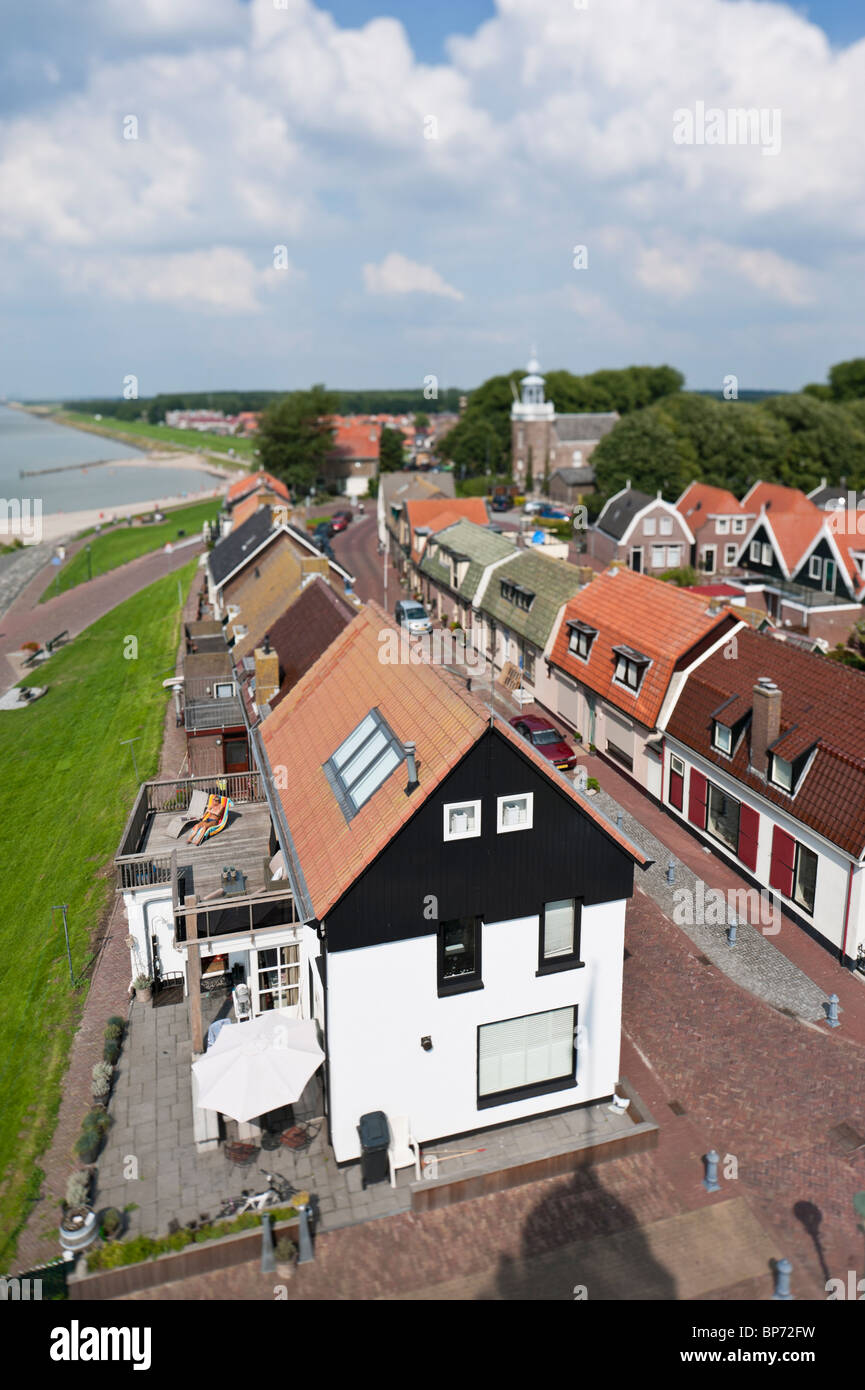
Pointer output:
258, 1067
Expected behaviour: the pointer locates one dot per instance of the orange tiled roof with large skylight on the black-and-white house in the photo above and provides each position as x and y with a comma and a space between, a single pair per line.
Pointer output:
421, 704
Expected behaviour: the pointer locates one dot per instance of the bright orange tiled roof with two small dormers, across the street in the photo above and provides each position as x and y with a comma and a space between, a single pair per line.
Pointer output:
660, 621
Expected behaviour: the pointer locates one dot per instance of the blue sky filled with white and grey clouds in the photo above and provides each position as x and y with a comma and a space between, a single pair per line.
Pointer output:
216, 194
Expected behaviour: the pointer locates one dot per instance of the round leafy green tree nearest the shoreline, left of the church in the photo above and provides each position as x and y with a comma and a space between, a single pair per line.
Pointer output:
296, 437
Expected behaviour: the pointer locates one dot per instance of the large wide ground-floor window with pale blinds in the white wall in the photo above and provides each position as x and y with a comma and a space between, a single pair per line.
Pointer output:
526, 1057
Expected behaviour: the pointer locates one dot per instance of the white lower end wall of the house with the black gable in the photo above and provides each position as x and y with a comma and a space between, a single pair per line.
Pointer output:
383, 1000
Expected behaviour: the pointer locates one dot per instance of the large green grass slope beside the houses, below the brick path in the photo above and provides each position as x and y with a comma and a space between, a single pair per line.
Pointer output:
66, 792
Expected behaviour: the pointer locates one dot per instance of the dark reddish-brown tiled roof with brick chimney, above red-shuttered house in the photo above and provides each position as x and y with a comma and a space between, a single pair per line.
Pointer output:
823, 705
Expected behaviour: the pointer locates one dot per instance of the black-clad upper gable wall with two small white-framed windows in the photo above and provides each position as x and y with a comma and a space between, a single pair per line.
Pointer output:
496, 876
